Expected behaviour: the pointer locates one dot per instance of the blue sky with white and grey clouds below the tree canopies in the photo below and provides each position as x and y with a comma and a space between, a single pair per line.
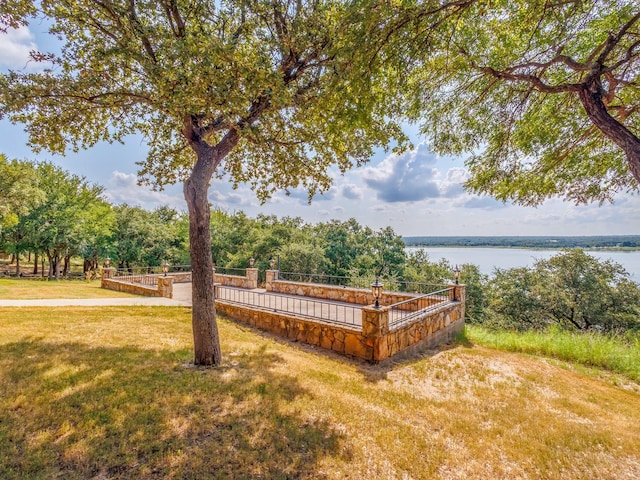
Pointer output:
417, 193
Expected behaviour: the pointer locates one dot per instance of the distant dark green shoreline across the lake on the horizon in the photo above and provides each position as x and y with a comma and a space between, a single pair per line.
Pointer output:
596, 242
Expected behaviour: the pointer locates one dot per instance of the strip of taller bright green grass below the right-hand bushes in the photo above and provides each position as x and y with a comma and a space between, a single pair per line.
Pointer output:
615, 353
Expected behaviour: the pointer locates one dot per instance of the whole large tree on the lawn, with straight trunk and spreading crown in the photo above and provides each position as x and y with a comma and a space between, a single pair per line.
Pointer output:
264, 91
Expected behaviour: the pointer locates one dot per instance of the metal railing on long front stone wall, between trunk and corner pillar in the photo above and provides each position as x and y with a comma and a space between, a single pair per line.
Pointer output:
317, 310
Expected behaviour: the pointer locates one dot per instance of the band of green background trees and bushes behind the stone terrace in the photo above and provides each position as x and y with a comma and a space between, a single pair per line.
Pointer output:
54, 215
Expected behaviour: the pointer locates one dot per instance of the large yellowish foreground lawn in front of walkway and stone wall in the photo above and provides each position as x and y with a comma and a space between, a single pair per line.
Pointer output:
109, 393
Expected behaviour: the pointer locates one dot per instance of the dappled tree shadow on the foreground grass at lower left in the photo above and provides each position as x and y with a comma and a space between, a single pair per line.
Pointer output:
69, 411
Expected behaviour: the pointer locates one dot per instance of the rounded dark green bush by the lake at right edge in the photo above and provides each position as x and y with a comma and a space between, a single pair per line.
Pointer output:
573, 290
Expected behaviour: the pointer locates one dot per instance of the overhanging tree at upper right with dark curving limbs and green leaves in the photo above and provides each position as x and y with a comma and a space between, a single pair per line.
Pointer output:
544, 94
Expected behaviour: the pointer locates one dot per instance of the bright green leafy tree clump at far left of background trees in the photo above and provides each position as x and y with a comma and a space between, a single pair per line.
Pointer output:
46, 210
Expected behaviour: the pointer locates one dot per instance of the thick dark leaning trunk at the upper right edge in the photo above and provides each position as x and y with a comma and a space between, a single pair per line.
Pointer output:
591, 98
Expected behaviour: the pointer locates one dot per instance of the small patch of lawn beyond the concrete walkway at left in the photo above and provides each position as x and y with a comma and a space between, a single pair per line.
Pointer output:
33, 289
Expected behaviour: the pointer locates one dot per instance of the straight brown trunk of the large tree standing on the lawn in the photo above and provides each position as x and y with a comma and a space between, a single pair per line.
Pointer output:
203, 314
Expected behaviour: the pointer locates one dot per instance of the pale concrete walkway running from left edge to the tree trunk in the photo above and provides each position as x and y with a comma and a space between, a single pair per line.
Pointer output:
181, 297
